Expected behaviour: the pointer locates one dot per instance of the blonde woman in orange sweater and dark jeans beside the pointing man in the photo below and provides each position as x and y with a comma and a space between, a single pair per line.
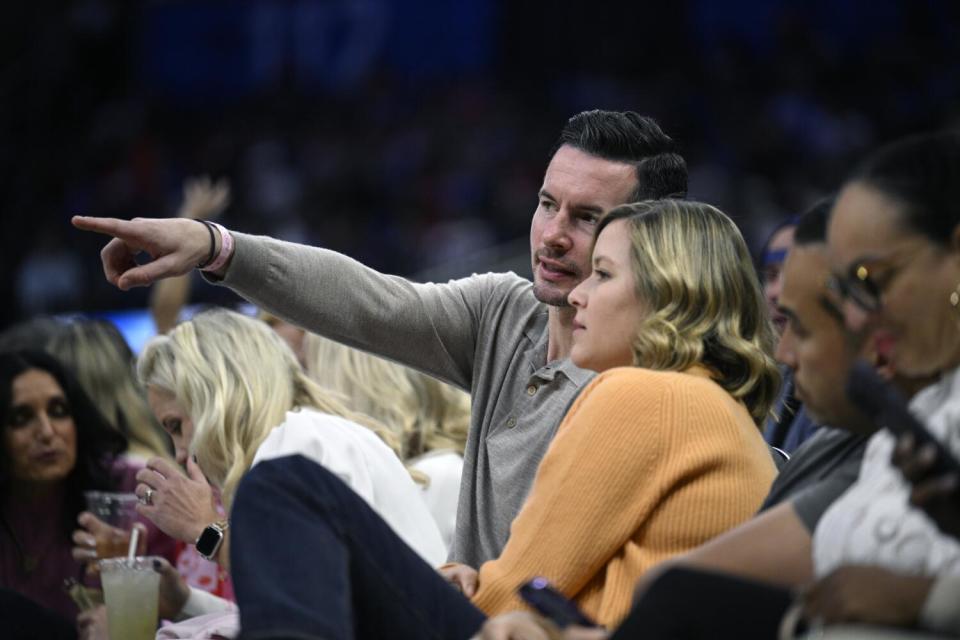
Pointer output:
661, 452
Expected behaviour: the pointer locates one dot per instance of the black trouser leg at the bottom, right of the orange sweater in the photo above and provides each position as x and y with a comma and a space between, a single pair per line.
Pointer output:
686, 604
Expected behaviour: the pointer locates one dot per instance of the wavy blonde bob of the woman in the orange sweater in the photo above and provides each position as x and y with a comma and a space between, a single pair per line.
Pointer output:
695, 277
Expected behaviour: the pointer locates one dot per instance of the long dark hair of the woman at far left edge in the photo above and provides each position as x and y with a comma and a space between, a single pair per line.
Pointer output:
98, 445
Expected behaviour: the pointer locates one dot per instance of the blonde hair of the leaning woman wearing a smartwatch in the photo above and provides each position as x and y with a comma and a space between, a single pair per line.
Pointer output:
236, 379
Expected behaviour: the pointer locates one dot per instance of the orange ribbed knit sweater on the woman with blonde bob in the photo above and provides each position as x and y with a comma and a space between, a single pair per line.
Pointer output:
646, 465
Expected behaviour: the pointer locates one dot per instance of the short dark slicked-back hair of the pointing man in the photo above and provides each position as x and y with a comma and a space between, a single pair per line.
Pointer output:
625, 136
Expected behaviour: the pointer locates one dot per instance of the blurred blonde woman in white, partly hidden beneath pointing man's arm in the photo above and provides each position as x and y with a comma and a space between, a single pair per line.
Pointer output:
431, 418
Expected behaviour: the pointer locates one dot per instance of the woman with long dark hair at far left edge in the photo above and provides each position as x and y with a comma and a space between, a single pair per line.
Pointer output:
55, 446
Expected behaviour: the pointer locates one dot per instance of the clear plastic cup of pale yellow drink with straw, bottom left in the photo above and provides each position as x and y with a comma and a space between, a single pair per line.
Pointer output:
131, 590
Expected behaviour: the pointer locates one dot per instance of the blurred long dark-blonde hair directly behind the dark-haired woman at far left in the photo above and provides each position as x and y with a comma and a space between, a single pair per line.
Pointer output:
99, 357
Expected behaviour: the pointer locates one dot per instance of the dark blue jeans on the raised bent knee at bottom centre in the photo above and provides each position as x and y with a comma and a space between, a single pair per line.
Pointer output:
311, 559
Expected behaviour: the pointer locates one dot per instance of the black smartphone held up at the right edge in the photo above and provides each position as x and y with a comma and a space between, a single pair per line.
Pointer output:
884, 405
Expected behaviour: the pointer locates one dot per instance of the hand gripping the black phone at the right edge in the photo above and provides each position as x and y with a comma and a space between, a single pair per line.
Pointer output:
938, 496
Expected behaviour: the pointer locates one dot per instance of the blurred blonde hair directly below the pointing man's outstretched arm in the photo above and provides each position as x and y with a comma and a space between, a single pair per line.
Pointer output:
427, 414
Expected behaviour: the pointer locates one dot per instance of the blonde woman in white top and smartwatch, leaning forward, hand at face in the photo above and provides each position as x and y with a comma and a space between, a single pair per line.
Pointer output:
231, 394
